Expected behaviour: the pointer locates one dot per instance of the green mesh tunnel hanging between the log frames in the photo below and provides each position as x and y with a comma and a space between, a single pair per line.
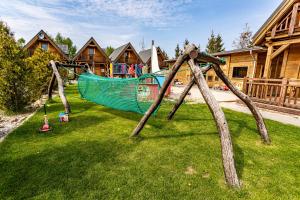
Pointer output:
128, 94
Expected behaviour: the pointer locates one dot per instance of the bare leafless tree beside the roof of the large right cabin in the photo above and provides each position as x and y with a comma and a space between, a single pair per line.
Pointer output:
245, 39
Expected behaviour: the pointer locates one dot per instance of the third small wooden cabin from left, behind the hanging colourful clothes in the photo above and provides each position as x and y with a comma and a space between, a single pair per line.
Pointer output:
122, 58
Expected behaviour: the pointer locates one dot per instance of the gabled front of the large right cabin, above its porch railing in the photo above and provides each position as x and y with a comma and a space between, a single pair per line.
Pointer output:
281, 35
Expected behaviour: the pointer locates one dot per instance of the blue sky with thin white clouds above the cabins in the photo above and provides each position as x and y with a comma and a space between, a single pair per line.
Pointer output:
116, 22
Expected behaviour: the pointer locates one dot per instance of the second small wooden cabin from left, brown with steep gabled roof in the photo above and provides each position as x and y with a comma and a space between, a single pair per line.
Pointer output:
93, 55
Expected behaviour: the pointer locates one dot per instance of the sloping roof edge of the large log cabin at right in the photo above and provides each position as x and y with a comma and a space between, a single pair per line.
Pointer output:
280, 11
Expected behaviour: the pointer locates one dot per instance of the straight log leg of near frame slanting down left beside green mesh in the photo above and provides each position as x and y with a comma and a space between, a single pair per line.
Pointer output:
190, 51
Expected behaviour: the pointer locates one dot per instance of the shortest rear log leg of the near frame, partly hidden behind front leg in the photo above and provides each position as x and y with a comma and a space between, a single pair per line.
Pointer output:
184, 93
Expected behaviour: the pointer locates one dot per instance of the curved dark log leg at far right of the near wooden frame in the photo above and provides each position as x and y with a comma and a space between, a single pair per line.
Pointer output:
246, 99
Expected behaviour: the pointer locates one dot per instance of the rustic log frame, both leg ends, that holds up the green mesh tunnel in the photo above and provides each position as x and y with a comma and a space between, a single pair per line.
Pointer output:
193, 57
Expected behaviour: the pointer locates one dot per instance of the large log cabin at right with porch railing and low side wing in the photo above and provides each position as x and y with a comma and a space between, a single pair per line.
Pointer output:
271, 70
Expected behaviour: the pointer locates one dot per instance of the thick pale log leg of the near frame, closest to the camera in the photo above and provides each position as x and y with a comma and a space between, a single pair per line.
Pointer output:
219, 117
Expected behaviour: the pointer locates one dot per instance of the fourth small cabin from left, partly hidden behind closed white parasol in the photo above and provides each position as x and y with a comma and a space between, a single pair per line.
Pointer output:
146, 58
